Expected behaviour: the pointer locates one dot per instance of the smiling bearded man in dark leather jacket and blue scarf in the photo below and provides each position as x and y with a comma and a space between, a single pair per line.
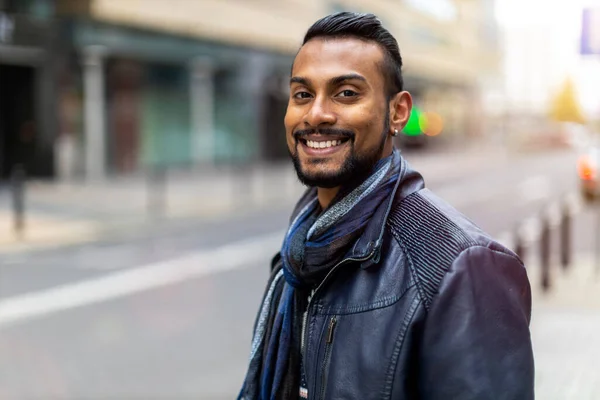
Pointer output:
381, 290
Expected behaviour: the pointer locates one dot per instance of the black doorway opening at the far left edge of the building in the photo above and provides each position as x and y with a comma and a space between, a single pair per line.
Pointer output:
18, 128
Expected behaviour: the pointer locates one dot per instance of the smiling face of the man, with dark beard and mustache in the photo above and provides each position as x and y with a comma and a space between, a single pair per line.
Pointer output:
337, 120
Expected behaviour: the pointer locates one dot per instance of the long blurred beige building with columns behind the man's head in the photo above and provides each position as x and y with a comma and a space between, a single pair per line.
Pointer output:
116, 86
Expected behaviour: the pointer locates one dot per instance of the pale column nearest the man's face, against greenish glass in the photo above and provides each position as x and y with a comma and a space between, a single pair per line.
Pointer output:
202, 110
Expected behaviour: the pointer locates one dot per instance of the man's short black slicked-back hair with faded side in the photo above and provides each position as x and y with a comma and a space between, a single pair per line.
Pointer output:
365, 27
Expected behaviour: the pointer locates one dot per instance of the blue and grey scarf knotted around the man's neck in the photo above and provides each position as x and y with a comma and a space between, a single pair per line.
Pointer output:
314, 243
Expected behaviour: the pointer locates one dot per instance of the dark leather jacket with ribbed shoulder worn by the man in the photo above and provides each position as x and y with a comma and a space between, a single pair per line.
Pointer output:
425, 306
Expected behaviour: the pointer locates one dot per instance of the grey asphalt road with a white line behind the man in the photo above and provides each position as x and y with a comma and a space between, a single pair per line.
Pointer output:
167, 313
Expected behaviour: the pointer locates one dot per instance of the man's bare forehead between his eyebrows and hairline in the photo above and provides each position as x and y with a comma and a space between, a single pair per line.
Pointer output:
340, 55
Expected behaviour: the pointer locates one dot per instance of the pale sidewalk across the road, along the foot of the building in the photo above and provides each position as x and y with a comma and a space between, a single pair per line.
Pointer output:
60, 214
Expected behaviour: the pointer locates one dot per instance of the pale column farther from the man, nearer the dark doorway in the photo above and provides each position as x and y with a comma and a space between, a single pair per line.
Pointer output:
94, 112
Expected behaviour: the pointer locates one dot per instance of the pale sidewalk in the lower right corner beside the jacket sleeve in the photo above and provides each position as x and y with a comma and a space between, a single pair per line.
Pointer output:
565, 331
